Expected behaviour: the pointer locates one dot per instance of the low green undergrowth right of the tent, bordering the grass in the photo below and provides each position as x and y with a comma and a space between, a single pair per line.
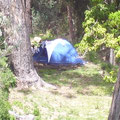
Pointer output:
109, 71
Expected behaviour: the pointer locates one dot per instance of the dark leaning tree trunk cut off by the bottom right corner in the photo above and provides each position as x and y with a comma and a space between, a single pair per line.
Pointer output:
115, 106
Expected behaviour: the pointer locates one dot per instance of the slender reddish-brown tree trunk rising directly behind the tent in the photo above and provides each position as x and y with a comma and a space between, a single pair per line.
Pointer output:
71, 28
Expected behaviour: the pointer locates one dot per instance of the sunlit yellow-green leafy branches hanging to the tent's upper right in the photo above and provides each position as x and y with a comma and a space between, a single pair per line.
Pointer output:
96, 27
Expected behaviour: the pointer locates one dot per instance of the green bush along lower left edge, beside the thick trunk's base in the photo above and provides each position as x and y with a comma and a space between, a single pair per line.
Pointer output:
7, 79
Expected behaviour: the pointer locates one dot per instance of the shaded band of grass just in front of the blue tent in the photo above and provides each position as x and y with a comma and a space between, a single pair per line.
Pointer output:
84, 80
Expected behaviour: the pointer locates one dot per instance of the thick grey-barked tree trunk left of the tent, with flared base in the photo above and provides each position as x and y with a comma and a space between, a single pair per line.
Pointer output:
21, 55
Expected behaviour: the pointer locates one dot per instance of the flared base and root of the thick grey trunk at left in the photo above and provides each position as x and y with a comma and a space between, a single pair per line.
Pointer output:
32, 80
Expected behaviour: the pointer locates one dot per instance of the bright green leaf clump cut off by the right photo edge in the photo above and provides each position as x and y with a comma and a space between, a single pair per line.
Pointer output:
114, 28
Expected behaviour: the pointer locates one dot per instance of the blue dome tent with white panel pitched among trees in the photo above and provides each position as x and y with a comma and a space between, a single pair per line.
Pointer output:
58, 51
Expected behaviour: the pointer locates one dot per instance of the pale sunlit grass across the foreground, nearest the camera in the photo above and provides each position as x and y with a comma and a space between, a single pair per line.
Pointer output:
48, 106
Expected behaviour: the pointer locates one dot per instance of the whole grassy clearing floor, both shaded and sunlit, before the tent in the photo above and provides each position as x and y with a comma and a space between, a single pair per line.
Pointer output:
81, 95
